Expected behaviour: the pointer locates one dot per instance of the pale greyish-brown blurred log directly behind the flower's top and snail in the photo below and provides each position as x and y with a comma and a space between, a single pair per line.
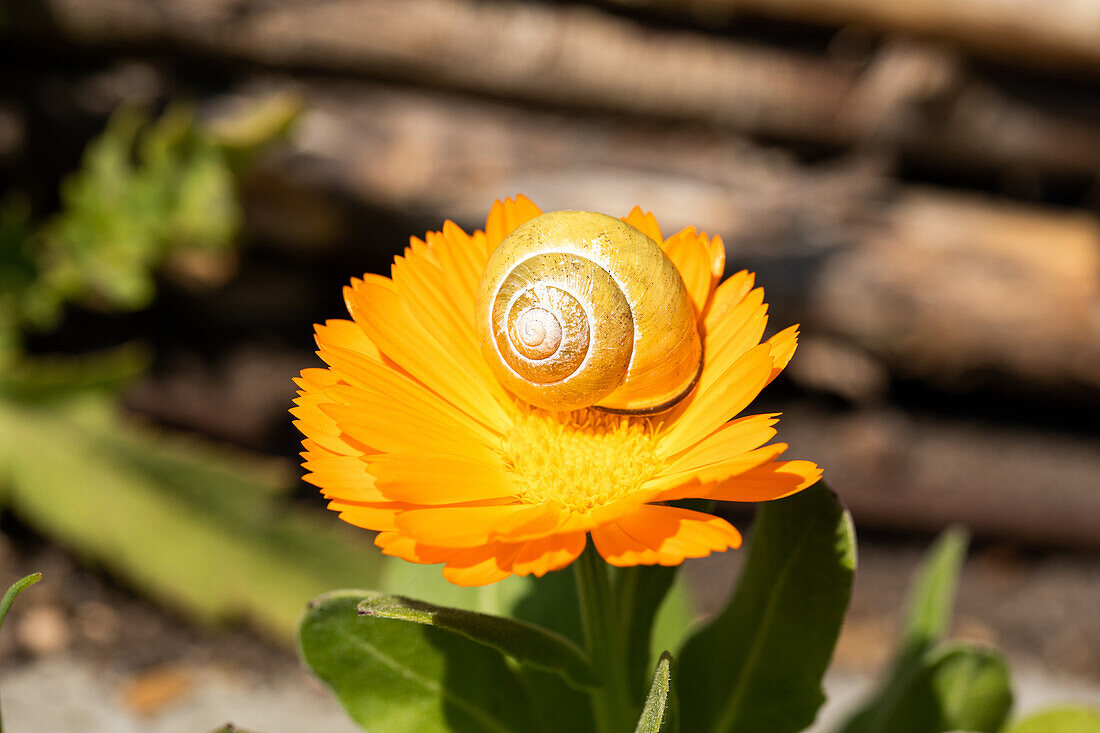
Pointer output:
441, 156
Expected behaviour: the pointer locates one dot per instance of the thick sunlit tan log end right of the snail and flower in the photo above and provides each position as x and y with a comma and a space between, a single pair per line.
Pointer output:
952, 289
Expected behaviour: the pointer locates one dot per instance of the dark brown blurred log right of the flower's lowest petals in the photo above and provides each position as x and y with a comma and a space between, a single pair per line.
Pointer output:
920, 473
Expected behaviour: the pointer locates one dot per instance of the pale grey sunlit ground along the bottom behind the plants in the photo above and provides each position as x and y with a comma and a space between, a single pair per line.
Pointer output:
68, 693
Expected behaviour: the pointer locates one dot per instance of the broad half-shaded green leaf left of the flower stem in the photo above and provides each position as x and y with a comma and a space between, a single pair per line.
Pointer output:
410, 679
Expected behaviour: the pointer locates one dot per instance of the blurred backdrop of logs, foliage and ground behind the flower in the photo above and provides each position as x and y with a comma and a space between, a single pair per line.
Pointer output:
185, 187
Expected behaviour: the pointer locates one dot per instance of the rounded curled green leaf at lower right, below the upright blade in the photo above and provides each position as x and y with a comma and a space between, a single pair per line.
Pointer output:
954, 687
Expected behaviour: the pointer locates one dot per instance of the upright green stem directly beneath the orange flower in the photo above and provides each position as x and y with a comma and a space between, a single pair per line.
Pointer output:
607, 646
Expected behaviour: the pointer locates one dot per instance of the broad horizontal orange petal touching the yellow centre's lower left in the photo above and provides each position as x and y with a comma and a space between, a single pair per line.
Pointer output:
424, 478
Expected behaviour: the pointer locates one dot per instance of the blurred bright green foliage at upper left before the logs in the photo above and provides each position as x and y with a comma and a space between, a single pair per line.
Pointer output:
147, 192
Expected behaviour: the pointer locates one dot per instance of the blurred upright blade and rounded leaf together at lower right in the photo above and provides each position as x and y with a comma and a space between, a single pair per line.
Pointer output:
933, 688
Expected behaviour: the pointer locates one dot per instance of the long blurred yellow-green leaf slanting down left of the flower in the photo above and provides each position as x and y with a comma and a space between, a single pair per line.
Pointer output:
197, 529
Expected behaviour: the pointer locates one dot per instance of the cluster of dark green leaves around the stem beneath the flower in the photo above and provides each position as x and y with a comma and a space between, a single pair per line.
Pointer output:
399, 665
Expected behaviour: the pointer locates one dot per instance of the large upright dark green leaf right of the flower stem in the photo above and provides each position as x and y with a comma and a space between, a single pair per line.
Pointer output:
758, 666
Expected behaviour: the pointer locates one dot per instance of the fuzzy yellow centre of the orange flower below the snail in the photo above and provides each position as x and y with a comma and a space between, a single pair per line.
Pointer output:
581, 461
